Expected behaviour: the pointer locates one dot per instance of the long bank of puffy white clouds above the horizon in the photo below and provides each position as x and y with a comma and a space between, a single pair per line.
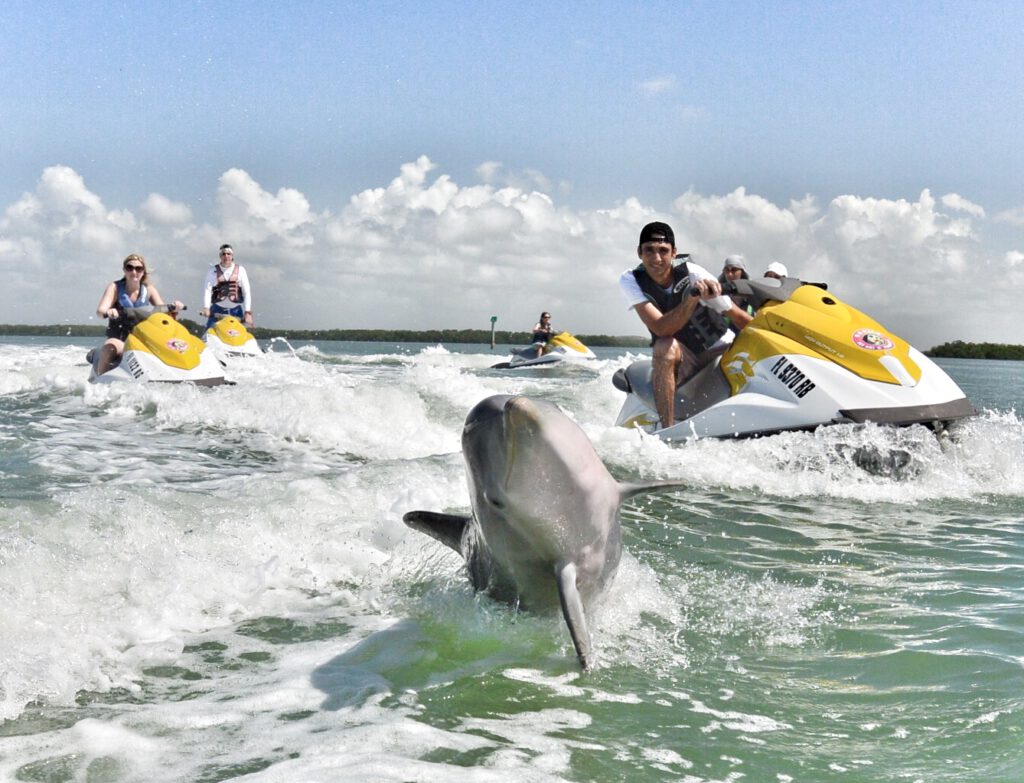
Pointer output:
425, 252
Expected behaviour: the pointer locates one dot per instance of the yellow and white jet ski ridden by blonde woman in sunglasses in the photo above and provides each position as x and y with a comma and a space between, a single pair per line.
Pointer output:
160, 350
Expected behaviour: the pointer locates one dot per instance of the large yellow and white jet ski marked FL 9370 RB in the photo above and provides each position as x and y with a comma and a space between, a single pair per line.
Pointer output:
806, 360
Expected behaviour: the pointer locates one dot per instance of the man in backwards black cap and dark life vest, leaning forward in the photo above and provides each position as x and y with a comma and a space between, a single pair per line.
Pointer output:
688, 332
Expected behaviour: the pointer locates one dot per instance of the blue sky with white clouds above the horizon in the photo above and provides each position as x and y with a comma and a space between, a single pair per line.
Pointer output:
411, 165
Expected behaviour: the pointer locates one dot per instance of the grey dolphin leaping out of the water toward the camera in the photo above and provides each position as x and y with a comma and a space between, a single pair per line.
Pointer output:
545, 531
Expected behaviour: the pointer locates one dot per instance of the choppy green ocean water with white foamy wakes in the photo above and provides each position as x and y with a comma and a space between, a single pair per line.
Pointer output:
211, 585
